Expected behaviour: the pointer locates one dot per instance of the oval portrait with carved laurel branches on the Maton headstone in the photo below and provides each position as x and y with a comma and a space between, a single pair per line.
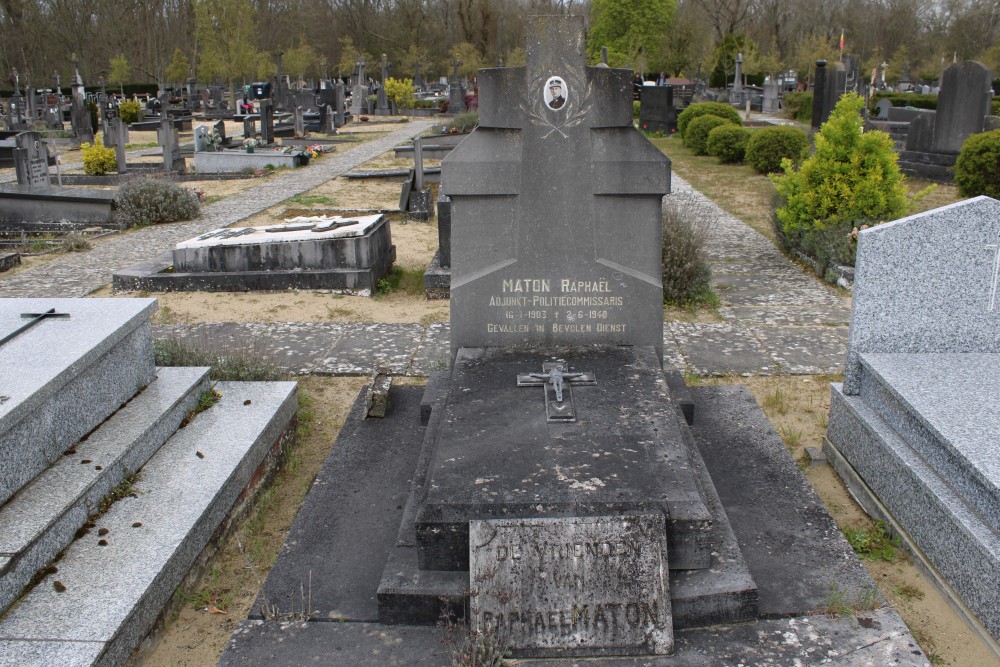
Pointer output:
557, 102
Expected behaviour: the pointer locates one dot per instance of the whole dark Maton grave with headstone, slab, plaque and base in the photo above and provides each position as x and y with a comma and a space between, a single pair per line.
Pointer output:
557, 501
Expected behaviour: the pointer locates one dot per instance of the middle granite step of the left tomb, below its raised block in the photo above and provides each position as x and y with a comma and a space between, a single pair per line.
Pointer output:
41, 520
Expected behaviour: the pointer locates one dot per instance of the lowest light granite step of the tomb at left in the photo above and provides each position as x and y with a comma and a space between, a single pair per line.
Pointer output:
113, 582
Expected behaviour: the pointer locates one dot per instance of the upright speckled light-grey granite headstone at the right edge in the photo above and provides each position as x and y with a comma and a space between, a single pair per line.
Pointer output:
927, 283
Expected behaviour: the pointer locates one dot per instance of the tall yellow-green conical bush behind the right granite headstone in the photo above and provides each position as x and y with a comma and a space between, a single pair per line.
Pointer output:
852, 178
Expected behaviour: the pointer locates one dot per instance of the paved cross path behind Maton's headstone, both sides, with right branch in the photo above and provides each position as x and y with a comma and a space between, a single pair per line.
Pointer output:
776, 319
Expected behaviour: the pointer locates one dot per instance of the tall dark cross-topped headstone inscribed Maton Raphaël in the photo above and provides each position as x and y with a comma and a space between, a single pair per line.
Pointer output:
556, 206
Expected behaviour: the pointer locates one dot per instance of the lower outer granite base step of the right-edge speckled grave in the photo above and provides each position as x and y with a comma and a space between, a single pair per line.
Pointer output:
953, 537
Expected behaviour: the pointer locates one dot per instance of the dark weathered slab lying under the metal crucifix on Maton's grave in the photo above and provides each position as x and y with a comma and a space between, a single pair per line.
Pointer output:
623, 453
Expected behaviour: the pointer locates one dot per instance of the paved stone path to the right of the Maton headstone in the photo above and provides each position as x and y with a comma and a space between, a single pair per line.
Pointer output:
776, 317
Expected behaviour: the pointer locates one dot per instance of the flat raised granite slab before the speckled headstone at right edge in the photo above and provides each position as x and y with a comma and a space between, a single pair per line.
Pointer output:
953, 428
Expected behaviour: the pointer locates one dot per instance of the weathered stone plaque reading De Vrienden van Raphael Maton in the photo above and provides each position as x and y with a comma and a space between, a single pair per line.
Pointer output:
572, 586
